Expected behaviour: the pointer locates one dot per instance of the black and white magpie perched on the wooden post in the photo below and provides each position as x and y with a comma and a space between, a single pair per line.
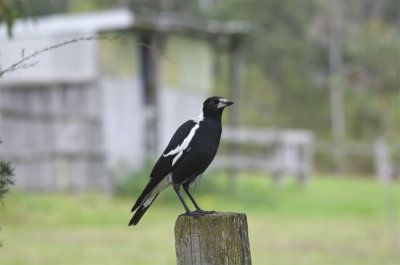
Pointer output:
188, 154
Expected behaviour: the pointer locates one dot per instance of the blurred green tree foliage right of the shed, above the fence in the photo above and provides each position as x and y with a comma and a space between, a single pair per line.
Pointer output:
287, 65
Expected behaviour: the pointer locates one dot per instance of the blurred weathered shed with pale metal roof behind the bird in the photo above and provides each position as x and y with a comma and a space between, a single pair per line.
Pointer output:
78, 112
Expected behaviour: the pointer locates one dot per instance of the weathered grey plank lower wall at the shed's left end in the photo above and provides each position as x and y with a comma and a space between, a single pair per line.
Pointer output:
52, 134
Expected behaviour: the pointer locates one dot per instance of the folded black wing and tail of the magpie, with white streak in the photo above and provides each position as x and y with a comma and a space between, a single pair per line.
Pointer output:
169, 159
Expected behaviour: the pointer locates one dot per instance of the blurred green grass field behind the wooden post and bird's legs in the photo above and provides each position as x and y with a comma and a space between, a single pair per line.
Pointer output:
333, 221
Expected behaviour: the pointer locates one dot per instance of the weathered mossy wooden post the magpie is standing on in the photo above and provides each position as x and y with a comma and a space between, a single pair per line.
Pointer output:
219, 238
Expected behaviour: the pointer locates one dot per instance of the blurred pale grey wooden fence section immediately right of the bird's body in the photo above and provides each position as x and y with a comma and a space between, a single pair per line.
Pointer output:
277, 152
